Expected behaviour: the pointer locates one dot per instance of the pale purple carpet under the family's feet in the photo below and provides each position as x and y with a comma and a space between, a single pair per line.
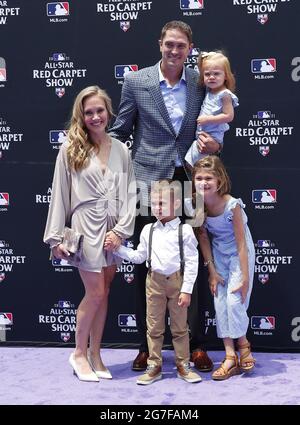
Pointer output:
42, 376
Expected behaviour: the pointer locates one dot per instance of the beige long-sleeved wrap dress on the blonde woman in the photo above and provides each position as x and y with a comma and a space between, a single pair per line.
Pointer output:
92, 203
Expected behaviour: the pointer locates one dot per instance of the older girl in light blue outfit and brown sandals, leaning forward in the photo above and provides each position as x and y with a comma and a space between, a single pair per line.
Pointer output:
230, 262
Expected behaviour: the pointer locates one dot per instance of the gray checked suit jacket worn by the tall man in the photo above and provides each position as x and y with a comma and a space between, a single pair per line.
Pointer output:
143, 114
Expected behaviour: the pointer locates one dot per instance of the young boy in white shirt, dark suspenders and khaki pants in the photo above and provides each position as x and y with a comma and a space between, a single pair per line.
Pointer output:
171, 276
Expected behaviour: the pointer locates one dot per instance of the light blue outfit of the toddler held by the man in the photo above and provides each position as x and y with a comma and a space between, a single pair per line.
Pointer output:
212, 105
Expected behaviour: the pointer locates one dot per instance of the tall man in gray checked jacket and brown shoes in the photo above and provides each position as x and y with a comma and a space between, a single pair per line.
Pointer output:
159, 106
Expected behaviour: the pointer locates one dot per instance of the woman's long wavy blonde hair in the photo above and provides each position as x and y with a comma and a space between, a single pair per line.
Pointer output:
80, 144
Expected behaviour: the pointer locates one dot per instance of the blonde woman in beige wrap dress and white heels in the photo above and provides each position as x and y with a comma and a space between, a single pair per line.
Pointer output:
94, 191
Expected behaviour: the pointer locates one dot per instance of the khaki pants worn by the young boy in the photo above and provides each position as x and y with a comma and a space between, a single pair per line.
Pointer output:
162, 292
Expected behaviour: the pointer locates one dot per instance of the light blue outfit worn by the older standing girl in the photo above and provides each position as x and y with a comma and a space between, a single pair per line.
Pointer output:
231, 315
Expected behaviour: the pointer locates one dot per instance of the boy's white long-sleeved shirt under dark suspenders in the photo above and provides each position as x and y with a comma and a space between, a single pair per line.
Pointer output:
165, 254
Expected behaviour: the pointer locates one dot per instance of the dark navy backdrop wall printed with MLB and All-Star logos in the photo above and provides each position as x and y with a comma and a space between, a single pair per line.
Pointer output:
49, 51
